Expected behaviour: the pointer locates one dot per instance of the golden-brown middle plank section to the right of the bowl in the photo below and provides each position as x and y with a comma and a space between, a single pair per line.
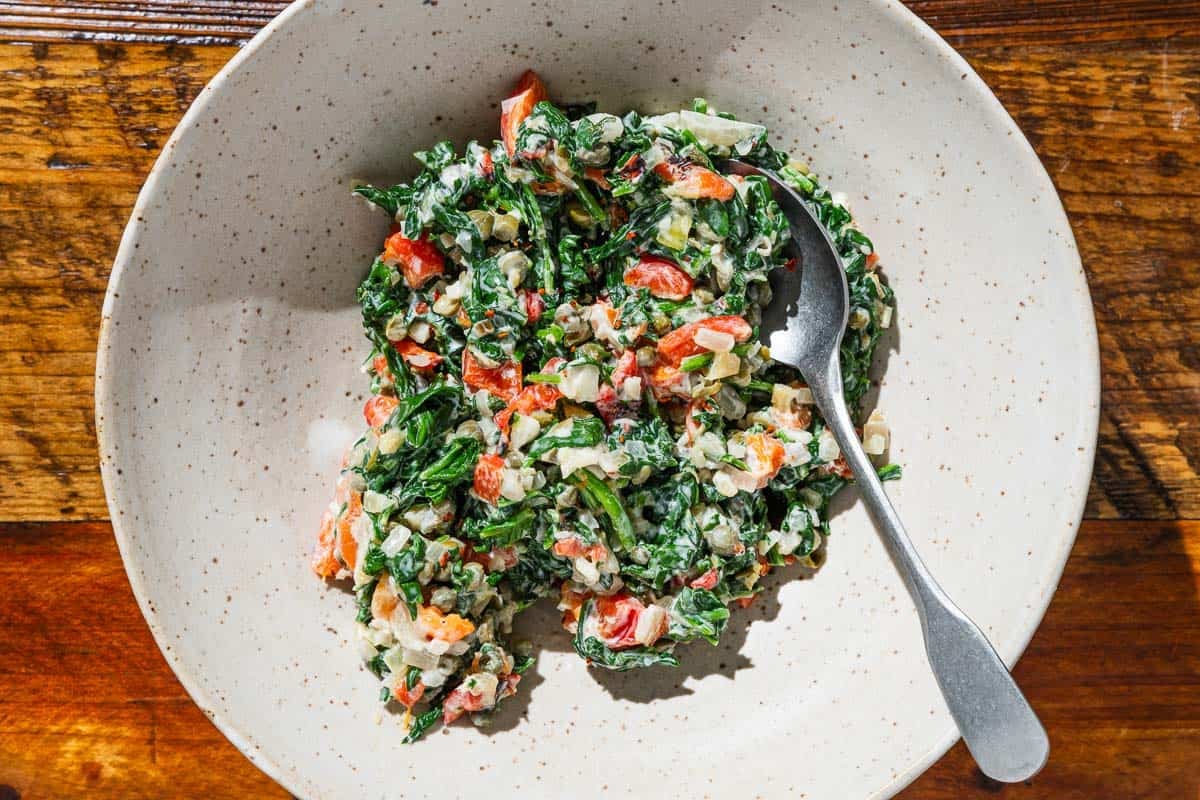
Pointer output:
1118, 134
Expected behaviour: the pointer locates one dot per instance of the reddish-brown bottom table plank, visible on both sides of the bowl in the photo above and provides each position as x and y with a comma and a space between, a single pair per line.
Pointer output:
93, 711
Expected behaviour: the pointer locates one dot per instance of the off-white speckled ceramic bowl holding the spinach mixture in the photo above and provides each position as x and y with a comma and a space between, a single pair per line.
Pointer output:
227, 384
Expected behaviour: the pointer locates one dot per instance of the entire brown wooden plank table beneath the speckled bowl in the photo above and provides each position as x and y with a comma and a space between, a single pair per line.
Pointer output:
1108, 93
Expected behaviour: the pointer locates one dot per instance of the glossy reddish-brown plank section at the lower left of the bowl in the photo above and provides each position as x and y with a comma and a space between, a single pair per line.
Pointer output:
88, 707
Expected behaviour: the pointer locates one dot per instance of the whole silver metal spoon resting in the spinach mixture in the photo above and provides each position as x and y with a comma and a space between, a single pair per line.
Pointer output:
803, 328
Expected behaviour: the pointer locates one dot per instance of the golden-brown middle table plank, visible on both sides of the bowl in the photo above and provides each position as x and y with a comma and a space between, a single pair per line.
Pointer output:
81, 125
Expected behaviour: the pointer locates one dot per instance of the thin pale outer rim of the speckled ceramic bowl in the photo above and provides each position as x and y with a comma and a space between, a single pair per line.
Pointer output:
112, 482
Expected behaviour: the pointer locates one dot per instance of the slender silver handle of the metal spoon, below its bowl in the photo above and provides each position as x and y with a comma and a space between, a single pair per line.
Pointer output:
1000, 729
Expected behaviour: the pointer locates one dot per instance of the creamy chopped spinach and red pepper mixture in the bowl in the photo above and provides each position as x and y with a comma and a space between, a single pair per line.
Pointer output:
569, 400
